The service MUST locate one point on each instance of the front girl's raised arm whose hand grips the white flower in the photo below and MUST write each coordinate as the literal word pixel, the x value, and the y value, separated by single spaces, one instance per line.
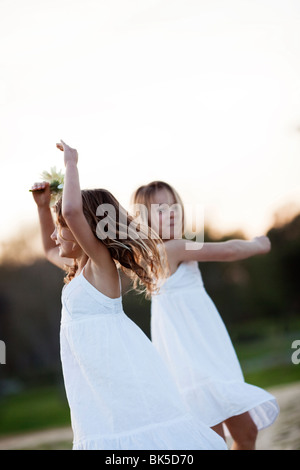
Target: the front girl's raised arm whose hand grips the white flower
pixel 41 196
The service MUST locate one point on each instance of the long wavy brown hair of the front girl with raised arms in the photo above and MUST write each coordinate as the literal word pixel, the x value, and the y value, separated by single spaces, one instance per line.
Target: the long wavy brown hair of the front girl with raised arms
pixel 132 248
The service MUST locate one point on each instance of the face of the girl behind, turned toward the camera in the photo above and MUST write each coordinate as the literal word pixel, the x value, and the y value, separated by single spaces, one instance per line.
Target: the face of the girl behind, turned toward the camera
pixel 166 215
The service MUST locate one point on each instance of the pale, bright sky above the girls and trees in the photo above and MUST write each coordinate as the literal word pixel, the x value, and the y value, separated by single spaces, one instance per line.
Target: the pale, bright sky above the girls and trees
pixel 204 94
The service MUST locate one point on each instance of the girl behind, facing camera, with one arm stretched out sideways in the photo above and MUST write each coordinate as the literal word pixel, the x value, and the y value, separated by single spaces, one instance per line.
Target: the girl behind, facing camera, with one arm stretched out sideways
pixel 188 331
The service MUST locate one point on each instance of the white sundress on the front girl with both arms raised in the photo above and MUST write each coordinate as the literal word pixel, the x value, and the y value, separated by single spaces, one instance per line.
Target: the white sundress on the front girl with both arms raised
pixel 120 393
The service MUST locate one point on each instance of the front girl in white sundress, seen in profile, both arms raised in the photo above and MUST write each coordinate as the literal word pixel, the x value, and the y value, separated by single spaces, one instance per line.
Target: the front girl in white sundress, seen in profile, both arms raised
pixel 120 393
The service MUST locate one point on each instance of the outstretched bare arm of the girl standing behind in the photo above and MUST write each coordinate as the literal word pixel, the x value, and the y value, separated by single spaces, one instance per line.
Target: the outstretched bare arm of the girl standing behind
pixel 231 250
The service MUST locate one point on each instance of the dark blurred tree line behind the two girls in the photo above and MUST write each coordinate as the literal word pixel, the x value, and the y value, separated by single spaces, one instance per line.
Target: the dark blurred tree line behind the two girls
pixel 259 291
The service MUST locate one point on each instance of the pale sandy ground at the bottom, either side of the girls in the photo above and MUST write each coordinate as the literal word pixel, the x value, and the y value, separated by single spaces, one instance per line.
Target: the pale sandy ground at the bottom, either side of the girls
pixel 284 434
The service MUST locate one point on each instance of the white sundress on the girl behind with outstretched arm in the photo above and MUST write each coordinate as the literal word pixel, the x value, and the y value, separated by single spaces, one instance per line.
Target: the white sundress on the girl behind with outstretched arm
pixel 189 333
